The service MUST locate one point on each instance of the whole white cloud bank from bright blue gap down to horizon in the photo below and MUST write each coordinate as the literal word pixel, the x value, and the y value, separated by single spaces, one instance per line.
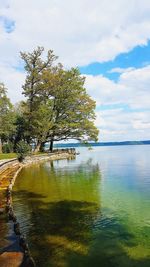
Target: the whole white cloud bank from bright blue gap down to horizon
pixel 132 91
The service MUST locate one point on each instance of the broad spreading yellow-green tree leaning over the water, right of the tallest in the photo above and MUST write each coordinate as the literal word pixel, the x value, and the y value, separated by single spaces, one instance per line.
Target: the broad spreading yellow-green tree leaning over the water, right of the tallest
pixel 72 108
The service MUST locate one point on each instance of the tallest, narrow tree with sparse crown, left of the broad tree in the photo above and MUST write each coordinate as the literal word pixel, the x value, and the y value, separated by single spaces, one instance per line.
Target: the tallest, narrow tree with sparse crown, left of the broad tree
pixel 37 105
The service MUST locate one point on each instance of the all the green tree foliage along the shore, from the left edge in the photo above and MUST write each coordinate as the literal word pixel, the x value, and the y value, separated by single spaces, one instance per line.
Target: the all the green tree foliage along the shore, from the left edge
pixel 57 106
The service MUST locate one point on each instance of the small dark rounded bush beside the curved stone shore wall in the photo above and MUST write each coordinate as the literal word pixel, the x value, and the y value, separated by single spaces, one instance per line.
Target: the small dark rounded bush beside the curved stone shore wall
pixel 22 149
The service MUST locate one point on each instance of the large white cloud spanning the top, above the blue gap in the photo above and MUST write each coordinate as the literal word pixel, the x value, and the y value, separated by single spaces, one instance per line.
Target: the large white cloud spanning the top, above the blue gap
pixel 80 31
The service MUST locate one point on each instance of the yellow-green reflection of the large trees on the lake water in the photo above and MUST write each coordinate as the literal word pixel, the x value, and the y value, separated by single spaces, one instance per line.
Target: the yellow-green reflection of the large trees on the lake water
pixel 63 207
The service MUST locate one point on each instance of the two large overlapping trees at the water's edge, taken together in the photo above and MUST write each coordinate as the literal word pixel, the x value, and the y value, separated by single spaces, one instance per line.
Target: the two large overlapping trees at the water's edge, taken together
pixel 57 106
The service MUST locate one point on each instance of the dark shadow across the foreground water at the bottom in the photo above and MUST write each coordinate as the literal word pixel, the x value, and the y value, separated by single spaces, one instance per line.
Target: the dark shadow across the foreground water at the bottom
pixel 63 235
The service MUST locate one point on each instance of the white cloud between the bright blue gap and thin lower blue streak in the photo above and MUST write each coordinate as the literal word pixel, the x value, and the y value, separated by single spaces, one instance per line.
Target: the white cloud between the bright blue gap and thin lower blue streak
pixel 131 89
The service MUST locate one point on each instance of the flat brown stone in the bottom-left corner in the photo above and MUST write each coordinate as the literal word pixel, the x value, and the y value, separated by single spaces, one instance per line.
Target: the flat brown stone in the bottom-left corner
pixel 11 259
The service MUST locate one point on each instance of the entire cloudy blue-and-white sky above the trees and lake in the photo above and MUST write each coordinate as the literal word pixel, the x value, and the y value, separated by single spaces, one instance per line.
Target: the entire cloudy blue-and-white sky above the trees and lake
pixel 109 41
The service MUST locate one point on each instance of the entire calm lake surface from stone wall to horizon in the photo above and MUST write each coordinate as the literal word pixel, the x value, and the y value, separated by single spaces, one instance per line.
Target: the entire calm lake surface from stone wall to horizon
pixel 88 212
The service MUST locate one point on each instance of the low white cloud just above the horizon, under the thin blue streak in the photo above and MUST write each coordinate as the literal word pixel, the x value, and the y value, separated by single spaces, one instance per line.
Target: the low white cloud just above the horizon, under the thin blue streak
pixel 118 125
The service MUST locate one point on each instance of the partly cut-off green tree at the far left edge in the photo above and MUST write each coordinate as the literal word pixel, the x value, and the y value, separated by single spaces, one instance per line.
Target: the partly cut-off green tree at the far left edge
pixel 7 117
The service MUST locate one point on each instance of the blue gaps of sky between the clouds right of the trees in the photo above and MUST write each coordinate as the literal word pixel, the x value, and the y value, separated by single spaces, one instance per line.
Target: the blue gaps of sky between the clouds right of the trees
pixel 137 58
